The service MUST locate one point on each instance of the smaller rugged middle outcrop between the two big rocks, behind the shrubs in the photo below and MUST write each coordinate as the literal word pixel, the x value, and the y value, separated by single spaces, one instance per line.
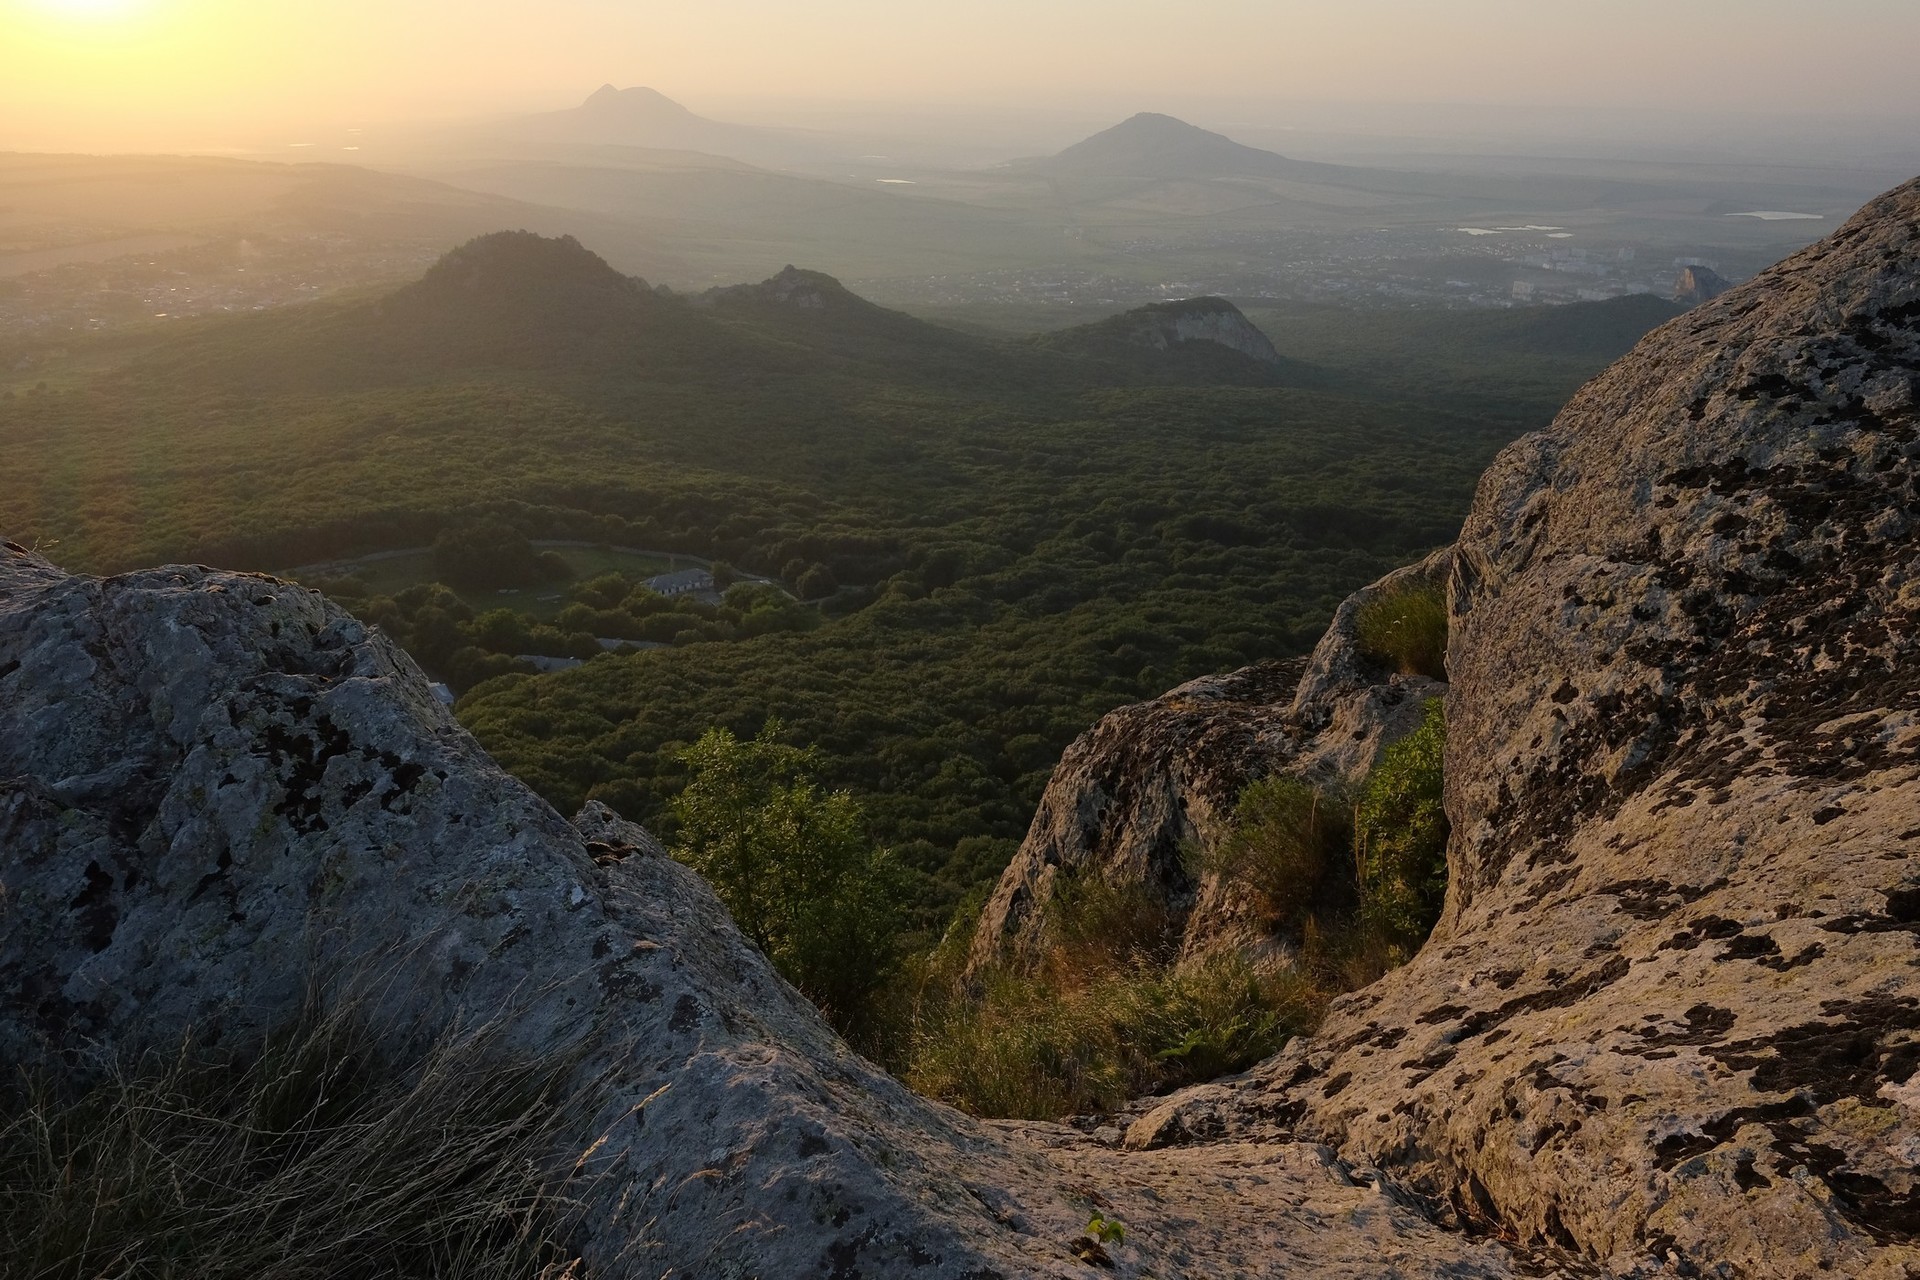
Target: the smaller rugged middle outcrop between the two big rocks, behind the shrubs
pixel 1157 780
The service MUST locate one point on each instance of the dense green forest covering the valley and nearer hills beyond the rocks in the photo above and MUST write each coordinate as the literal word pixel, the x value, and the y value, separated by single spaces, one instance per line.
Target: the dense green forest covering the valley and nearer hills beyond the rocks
pixel 999 538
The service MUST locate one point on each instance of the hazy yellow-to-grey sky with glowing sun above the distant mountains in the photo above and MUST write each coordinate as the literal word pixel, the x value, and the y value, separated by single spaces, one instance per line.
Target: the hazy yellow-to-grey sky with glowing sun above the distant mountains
pixel 103 74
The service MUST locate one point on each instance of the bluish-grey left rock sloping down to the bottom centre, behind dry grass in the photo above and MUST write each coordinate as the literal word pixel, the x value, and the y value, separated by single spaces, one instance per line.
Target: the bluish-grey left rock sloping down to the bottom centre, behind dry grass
pixel 218 788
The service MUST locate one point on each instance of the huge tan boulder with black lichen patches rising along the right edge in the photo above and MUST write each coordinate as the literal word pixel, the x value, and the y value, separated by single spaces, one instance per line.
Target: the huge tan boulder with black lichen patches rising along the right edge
pixel 1673 1010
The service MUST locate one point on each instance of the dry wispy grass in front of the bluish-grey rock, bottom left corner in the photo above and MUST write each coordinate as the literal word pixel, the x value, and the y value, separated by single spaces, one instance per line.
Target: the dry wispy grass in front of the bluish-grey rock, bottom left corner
pixel 316 1158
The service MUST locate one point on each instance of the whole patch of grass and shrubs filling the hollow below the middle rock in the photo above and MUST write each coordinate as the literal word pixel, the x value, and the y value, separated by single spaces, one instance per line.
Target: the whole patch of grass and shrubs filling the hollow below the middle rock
pixel 1107 1014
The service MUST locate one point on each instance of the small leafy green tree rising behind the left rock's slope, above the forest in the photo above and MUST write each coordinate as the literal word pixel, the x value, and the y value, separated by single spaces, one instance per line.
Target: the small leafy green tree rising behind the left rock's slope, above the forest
pixel 794 866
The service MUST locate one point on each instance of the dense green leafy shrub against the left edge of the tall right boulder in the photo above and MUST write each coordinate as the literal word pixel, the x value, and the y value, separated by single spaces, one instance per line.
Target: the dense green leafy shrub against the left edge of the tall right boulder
pixel 1401 834
